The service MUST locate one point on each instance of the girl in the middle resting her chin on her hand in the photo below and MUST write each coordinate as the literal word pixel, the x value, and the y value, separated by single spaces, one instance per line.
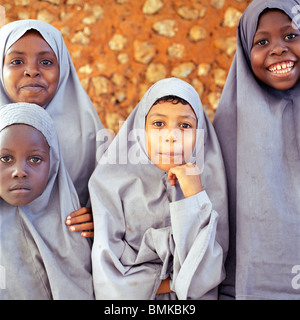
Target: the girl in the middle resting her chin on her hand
pixel 149 230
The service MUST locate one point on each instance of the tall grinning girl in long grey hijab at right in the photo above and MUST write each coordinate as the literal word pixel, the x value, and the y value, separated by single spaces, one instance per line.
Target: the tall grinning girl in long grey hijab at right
pixel 257 123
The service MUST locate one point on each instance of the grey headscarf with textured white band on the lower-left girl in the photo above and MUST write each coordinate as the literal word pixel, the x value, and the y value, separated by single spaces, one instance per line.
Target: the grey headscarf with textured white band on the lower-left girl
pixel 41 258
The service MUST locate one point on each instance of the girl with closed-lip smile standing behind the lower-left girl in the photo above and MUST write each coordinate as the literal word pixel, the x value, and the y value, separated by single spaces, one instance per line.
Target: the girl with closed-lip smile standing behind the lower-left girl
pixel 37 68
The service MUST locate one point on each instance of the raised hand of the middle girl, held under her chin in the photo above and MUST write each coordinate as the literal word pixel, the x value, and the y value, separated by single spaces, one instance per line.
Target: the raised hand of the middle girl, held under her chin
pixel 188 176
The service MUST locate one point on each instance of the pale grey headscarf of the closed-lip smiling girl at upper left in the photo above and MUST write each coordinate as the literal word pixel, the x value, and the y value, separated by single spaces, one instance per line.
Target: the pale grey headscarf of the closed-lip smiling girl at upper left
pixel 74 116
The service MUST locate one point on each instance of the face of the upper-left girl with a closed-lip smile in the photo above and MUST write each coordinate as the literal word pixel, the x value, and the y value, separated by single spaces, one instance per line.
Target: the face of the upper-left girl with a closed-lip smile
pixel 30 70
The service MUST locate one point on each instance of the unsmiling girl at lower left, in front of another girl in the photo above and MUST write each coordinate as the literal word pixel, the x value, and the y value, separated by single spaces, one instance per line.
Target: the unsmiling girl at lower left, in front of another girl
pixel 42 259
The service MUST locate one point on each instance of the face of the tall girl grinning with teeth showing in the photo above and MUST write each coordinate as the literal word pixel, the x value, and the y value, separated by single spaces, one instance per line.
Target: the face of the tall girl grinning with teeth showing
pixel 275 52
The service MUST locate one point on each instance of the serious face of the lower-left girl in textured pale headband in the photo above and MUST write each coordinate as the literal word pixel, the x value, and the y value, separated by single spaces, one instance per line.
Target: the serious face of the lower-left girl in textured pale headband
pixel 24 164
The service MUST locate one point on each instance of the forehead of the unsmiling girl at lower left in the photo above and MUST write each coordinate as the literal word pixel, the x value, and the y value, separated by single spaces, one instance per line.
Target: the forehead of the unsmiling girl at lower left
pixel 22 136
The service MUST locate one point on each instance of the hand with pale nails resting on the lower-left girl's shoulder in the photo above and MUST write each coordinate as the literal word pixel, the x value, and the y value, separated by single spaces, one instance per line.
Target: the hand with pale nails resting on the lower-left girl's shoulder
pixel 81 220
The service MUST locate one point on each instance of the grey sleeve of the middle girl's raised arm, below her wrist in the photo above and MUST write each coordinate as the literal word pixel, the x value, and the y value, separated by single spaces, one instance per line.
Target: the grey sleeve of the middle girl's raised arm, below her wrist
pixel 198 257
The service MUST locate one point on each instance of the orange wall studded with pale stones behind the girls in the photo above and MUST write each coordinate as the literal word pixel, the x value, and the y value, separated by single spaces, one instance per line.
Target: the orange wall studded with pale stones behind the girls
pixel 121 47
